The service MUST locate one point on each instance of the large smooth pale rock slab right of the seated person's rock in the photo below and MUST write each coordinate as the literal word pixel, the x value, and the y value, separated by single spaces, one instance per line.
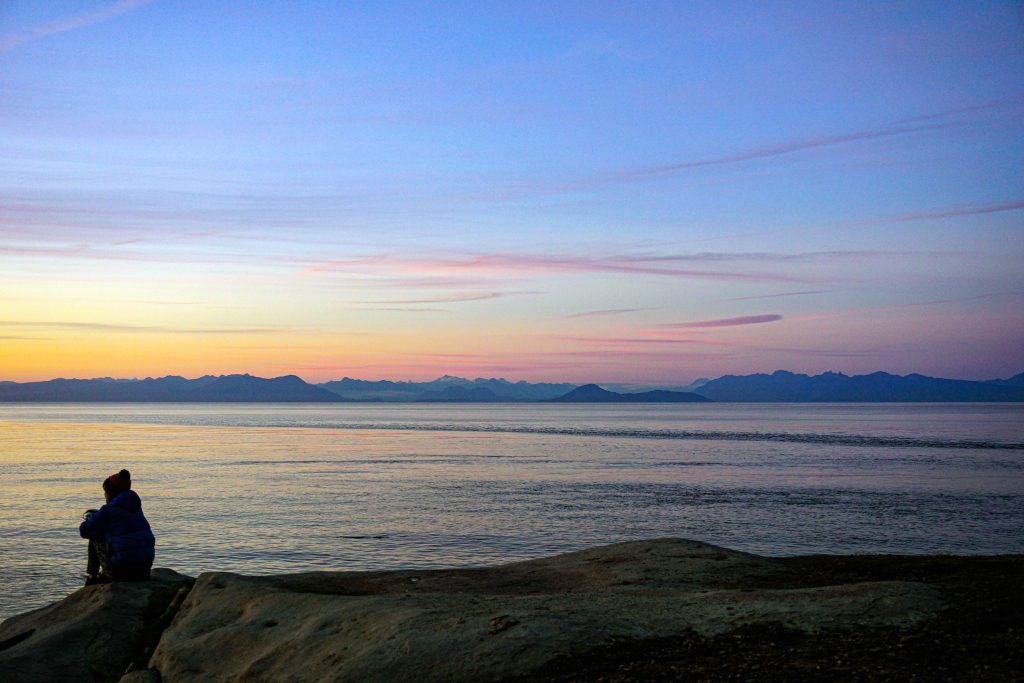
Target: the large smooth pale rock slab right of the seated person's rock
pixel 490 624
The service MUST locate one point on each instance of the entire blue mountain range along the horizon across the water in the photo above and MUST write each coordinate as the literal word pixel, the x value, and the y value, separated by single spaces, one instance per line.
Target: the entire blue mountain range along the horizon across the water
pixel 781 387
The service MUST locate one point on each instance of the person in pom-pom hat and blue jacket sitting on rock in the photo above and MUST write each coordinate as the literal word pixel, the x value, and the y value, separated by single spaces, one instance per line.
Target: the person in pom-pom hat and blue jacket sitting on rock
pixel 121 543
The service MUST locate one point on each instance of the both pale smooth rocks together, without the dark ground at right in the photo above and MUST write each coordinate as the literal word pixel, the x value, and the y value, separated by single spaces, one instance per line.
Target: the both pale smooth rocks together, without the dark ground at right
pixel 453 625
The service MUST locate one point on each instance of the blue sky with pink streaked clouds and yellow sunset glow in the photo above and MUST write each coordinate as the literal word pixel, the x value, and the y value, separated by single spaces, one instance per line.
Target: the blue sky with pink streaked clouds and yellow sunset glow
pixel 633 193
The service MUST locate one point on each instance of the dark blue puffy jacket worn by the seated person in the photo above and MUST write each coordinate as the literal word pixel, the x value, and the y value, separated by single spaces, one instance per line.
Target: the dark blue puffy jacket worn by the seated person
pixel 124 528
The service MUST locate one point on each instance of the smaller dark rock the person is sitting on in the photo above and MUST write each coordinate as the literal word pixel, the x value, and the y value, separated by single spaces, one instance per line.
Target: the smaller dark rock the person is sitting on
pixel 93 635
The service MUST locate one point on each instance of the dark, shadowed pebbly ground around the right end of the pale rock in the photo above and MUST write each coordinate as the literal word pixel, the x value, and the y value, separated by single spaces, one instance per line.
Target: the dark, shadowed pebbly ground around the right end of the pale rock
pixel 979 636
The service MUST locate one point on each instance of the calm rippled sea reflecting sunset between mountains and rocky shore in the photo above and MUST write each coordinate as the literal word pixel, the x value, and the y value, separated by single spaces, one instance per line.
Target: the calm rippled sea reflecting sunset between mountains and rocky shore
pixel 292 488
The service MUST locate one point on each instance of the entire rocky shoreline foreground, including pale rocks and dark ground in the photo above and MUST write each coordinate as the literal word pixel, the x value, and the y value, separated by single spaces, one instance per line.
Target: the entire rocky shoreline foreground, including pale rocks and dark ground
pixel 661 610
